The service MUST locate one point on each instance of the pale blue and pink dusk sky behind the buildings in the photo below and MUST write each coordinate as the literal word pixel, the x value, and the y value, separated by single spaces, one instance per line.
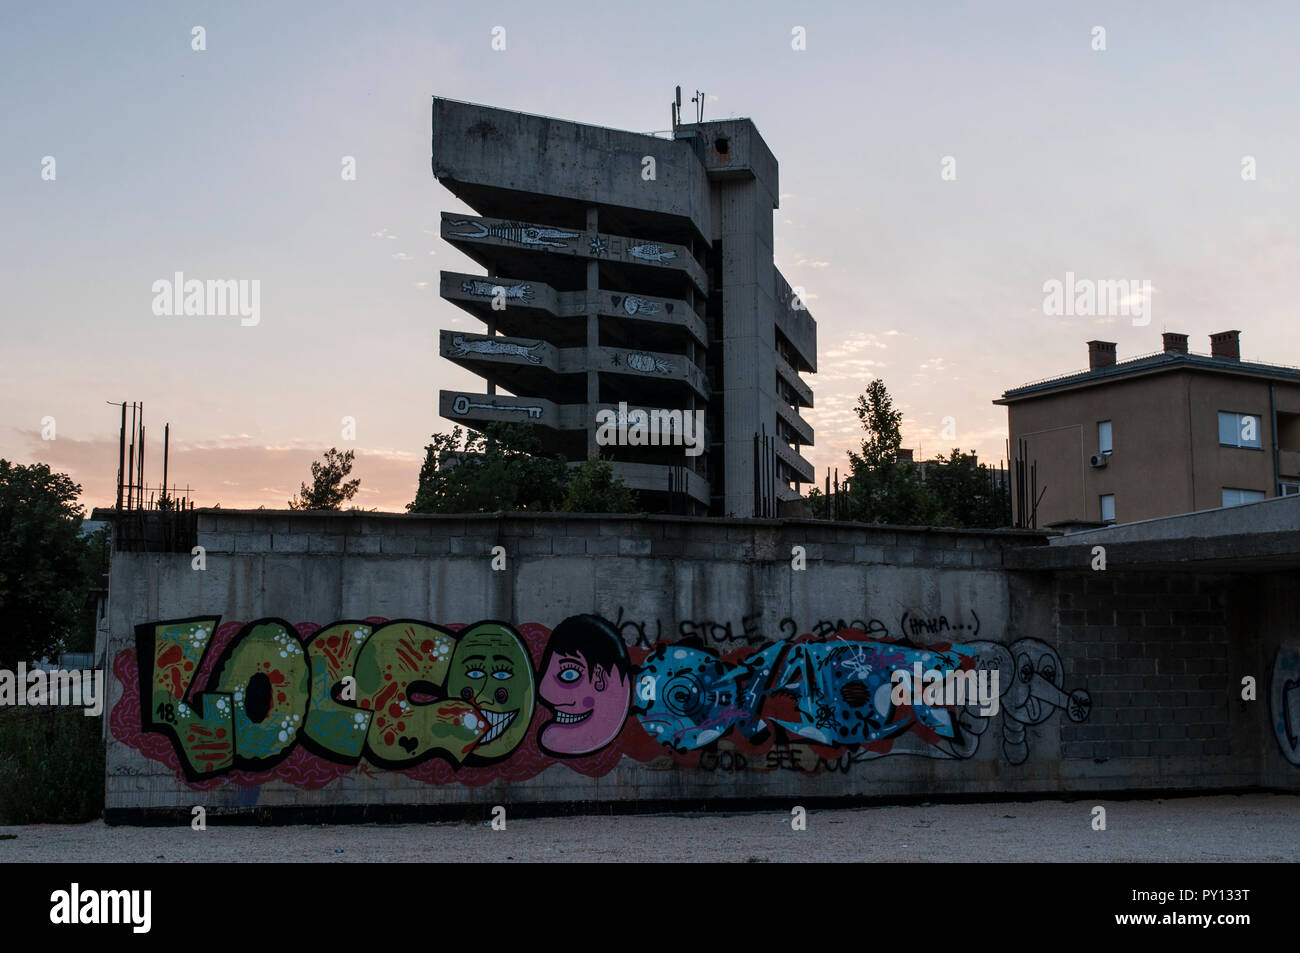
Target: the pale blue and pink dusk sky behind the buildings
pixel 1124 163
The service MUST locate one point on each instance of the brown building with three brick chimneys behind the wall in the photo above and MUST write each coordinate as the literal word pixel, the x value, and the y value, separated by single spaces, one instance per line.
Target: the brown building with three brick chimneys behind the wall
pixel 1167 434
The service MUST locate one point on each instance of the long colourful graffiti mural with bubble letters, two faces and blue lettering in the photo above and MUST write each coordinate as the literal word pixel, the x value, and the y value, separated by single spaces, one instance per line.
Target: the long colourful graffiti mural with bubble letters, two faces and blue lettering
pixel 470 704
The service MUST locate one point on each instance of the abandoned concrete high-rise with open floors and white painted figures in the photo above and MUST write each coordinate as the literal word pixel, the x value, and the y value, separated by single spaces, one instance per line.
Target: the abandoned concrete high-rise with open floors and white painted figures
pixel 630 270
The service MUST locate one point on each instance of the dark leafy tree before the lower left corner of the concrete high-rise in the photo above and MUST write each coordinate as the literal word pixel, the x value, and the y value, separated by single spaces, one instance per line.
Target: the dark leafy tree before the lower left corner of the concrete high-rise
pixel 501 469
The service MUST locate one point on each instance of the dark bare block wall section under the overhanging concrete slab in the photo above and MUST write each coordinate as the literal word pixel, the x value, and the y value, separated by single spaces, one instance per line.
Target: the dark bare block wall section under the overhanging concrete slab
pixel 1167 653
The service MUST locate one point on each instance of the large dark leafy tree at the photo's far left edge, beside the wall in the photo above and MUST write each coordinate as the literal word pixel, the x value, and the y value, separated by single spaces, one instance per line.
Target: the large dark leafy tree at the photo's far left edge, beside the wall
pixel 42 571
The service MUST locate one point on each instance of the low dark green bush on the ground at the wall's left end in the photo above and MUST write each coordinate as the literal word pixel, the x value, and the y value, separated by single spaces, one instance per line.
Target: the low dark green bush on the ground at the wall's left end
pixel 51 768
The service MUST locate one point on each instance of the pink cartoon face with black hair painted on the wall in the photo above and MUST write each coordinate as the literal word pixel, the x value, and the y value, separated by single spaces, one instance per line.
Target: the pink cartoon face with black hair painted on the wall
pixel 587 683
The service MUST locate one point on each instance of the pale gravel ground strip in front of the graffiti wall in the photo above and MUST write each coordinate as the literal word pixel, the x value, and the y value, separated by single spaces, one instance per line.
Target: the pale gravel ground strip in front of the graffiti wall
pixel 1251 828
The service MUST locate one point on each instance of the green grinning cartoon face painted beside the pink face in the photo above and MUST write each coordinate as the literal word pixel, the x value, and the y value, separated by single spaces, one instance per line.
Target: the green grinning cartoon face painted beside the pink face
pixel 492 670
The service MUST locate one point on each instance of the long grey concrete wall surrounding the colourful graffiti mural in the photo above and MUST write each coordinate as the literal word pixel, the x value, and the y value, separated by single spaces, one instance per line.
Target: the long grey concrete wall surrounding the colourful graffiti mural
pixel 1139 669
